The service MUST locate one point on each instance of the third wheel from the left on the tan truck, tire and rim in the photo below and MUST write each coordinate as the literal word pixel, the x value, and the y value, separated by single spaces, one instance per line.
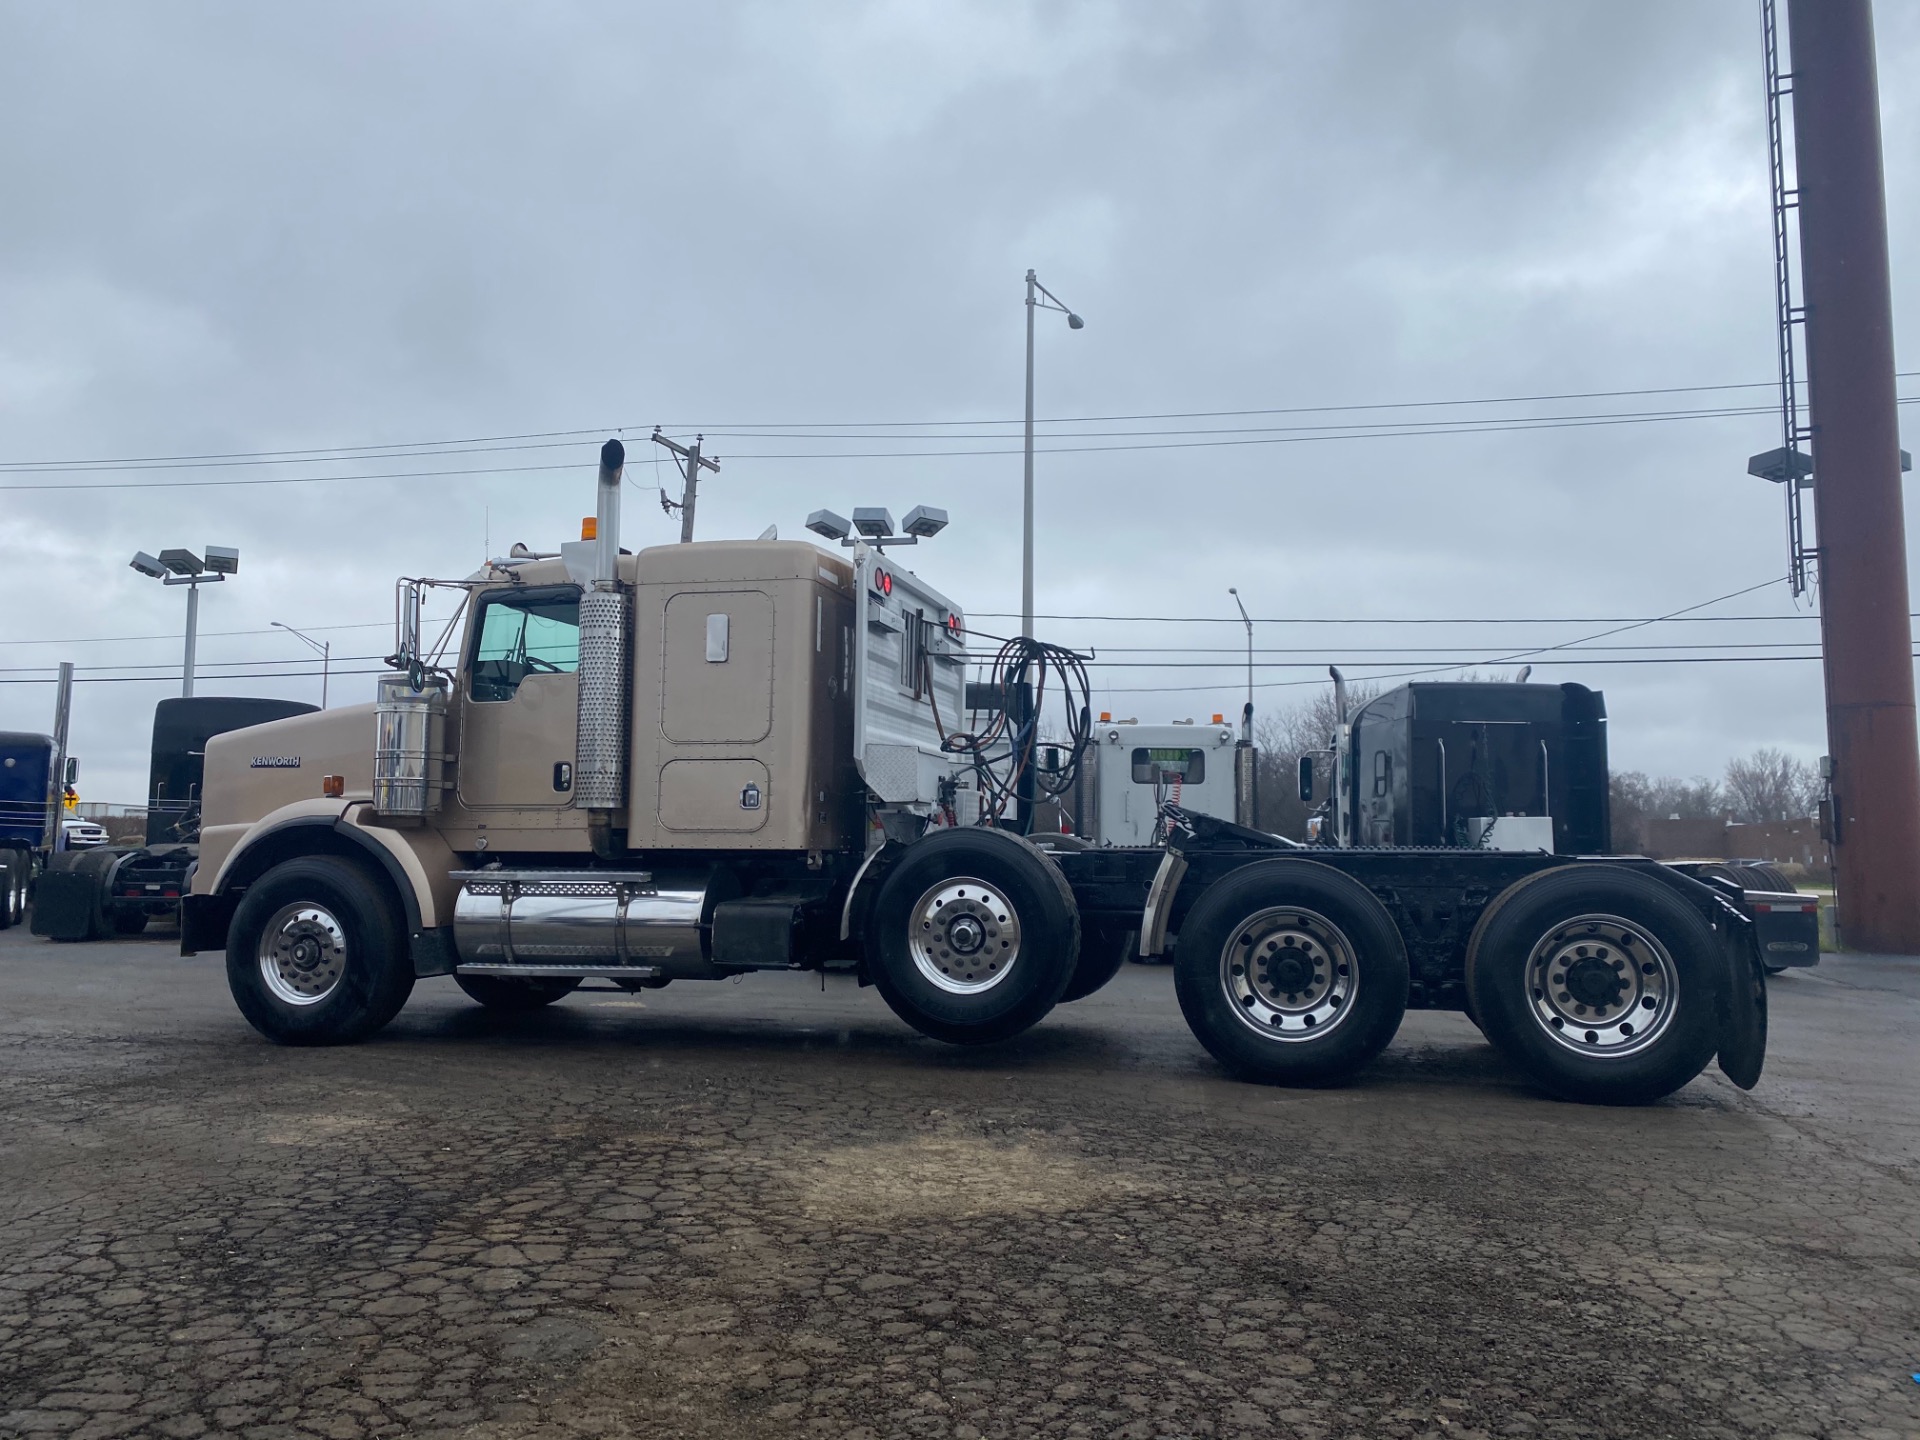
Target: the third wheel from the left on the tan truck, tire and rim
pixel 1310 926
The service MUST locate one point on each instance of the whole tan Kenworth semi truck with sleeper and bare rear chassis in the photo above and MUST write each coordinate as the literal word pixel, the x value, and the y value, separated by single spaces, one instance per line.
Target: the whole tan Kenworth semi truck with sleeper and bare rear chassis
pixel 711 759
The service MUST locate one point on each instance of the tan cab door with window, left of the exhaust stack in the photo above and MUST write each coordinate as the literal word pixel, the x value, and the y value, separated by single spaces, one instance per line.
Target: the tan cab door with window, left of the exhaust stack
pixel 521 706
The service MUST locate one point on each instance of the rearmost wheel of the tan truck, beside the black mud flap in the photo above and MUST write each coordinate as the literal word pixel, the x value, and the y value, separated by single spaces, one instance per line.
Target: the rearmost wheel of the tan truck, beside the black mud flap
pixel 1641 969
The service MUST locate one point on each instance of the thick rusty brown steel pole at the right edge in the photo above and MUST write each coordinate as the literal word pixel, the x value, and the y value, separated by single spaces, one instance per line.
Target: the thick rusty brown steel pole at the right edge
pixel 1867 638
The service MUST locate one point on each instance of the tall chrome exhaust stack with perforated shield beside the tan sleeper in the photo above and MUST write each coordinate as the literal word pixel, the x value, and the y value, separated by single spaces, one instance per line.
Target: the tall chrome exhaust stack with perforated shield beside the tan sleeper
pixel 600 761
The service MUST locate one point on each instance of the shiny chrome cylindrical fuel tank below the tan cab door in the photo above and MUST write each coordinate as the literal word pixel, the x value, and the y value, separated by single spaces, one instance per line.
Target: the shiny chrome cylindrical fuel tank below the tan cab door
pixel 592 919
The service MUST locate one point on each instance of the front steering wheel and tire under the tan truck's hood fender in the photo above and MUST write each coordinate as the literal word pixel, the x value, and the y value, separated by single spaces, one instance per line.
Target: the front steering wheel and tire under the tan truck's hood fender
pixel 343 948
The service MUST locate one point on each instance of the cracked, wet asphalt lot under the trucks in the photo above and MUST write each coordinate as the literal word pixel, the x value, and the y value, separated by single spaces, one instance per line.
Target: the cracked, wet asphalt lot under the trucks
pixel 769 1209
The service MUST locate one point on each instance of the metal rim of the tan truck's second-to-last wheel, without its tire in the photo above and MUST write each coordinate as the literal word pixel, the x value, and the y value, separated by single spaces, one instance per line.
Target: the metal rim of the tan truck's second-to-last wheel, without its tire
pixel 1291 974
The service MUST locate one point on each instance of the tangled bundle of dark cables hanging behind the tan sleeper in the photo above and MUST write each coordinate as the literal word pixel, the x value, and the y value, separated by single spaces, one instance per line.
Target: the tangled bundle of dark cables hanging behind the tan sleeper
pixel 1026 667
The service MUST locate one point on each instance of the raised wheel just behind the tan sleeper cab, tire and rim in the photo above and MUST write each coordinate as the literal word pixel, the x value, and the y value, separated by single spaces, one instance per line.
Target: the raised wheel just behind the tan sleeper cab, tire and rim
pixel 969 982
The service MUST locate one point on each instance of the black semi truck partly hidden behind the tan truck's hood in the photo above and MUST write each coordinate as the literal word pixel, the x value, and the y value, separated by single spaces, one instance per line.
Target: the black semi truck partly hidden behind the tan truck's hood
pixel 118 890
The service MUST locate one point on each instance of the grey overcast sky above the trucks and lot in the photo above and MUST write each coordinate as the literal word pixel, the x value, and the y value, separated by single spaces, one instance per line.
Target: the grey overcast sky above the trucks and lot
pixel 314 228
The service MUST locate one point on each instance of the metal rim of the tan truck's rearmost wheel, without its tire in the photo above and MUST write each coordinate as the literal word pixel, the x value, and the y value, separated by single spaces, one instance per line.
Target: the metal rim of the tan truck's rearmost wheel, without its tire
pixel 1602 986
